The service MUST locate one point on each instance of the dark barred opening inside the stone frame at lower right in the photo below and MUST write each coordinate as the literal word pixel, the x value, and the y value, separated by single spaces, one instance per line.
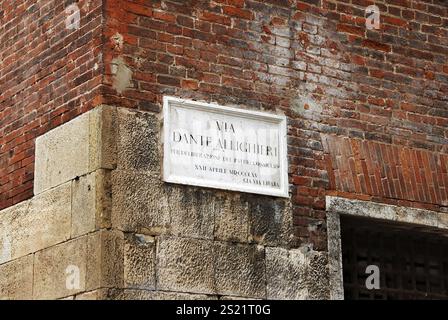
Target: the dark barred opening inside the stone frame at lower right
pixel 412 261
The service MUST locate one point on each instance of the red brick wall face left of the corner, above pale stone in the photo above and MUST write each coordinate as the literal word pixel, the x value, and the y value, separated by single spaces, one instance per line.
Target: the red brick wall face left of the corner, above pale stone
pixel 48 75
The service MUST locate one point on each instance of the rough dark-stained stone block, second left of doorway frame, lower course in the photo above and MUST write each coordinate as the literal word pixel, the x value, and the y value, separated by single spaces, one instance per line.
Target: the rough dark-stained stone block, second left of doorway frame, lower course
pixel 240 270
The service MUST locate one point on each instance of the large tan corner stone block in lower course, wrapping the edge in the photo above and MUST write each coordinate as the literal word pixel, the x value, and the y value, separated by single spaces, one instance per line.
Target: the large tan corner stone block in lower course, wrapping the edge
pixel 96 257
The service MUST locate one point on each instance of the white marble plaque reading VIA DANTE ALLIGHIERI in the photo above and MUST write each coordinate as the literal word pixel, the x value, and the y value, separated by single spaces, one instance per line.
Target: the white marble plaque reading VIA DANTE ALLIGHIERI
pixel 220 147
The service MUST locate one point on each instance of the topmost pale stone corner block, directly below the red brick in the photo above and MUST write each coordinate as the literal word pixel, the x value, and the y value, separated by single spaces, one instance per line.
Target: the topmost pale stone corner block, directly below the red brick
pixel 76 148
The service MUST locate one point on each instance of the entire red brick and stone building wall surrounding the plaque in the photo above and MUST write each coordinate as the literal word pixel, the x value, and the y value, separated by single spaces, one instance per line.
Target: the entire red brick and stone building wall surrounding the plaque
pixel 80 140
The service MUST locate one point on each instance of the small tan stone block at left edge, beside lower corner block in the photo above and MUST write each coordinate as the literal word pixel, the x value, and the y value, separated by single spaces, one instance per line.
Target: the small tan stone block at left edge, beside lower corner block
pixel 16 279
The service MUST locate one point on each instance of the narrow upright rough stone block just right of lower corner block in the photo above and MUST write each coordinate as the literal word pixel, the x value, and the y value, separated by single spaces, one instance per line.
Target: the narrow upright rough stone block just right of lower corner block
pixel 139 262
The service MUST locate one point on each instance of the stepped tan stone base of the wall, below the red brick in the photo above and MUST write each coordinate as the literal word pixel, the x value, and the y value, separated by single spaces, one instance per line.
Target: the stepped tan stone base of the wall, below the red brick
pixel 102 225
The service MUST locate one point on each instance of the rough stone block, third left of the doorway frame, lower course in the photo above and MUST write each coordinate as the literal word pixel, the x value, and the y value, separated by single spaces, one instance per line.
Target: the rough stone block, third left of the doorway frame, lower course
pixel 185 265
